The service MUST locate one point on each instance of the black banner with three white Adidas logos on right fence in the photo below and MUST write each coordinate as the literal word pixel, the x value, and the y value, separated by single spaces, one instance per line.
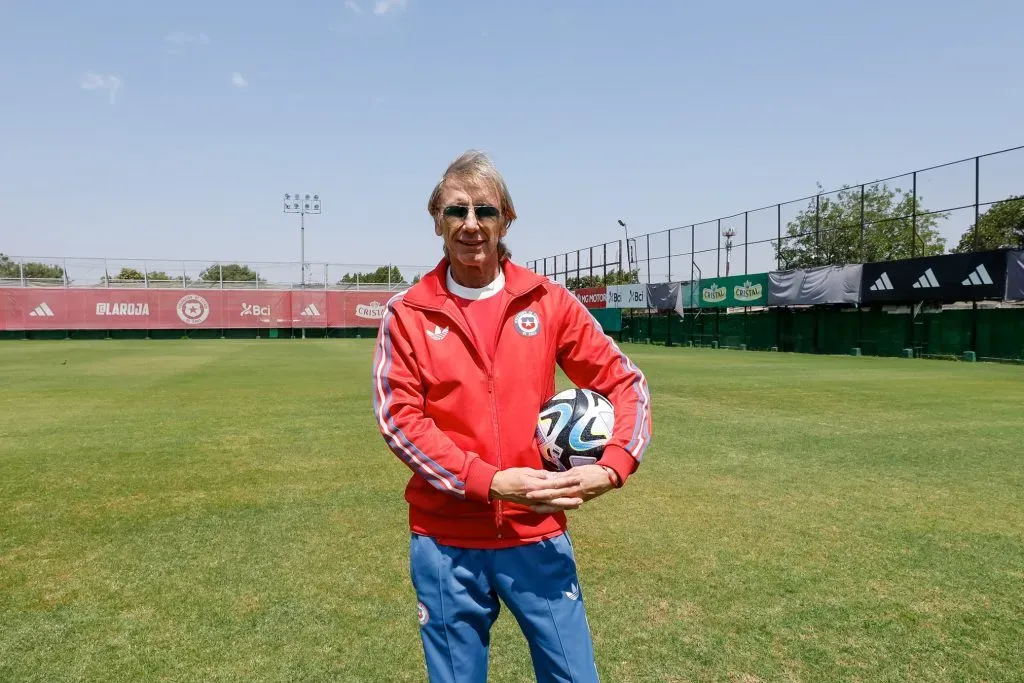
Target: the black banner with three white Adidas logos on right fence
pixel 948 278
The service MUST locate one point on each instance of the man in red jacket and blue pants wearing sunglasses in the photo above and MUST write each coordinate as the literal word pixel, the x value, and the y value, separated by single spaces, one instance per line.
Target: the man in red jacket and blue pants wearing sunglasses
pixel 465 359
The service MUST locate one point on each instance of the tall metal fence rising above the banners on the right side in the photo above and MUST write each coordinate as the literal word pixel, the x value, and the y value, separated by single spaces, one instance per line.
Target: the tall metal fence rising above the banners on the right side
pixel 766 239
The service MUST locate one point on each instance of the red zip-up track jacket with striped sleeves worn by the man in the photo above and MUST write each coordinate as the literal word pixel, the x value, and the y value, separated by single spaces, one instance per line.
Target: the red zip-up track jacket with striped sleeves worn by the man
pixel 455 418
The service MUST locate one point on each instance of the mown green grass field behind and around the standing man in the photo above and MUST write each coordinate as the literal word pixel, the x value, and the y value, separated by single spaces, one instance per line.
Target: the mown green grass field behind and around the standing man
pixel 227 511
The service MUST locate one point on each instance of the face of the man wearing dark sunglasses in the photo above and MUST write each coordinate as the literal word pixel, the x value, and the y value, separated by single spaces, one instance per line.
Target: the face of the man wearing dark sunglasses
pixel 472 224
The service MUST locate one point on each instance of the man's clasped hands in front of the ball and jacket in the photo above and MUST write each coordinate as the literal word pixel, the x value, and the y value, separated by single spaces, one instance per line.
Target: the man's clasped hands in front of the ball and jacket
pixel 546 492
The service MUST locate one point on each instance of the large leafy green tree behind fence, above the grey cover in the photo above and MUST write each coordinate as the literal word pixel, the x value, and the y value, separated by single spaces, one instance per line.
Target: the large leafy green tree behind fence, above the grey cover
pixel 831 232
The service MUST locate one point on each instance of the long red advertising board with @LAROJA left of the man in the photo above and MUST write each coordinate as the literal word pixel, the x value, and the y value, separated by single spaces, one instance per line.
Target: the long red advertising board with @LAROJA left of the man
pixel 46 309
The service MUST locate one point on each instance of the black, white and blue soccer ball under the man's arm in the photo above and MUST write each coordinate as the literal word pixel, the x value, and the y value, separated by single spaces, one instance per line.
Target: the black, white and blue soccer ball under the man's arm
pixel 573 429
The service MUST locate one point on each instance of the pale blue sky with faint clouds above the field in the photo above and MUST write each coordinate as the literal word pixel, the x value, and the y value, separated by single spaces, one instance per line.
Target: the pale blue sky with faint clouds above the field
pixel 170 131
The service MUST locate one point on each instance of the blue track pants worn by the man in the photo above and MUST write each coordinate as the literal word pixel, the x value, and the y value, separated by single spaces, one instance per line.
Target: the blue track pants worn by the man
pixel 459 590
